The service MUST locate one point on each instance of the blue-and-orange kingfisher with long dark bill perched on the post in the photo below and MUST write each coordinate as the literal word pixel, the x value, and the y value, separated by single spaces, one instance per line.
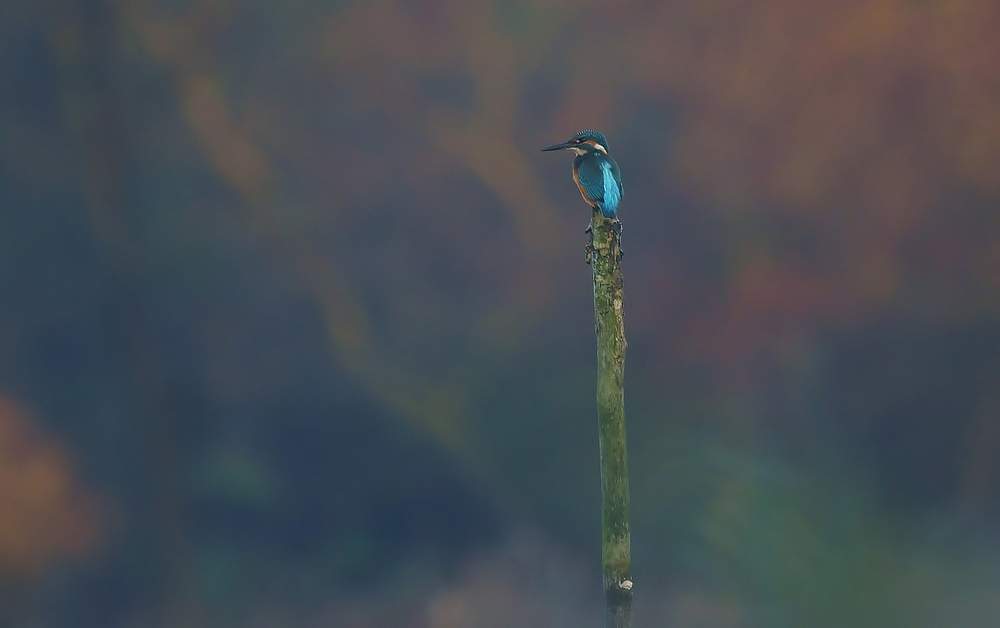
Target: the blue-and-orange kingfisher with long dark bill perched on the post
pixel 595 173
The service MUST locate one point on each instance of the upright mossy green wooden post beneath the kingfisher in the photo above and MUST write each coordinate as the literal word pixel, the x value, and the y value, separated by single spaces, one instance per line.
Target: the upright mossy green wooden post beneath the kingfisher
pixel 604 255
